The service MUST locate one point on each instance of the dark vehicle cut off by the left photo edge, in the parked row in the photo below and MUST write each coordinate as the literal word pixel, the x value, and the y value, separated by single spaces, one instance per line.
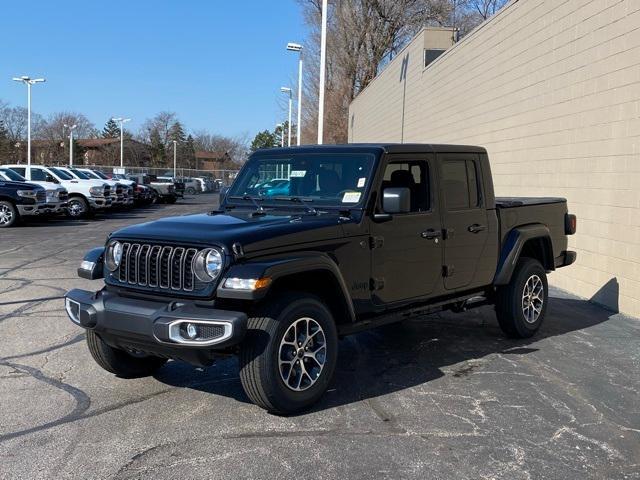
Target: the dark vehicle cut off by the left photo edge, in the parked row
pixel 20 199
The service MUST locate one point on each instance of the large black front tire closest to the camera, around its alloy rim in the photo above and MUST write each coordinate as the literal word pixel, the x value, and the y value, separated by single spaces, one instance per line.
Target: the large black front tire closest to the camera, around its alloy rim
pixel 260 372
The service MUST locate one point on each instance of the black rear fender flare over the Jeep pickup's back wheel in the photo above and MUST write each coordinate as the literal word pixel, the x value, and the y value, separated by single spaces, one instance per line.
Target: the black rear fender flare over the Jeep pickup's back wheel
pixel 533 241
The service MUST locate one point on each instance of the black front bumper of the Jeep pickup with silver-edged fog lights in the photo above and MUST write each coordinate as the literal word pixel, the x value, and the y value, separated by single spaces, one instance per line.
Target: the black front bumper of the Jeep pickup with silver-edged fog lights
pixel 153 327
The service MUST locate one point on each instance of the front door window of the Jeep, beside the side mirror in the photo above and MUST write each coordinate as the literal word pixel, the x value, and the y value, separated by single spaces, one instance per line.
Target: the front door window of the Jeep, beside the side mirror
pixel 415 177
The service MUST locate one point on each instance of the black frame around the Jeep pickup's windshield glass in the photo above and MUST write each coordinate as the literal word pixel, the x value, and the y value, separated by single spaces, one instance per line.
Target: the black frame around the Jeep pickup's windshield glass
pixel 293 201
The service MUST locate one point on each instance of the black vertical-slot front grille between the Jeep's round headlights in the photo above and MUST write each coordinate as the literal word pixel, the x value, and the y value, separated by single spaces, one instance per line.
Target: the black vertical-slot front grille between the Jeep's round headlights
pixel 155 266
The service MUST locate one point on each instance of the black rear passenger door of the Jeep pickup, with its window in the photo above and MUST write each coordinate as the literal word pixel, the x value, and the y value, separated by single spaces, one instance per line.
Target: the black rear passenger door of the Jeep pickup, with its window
pixel 464 219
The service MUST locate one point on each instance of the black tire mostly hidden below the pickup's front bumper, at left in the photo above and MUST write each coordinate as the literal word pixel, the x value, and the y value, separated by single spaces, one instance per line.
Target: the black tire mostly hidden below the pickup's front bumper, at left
pixel 120 362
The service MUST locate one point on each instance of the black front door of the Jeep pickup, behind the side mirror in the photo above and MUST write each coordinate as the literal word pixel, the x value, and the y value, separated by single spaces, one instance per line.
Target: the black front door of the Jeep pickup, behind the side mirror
pixel 407 250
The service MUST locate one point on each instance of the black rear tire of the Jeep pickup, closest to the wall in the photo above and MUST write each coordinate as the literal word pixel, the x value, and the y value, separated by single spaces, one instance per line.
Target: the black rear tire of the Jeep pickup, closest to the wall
pixel 517 314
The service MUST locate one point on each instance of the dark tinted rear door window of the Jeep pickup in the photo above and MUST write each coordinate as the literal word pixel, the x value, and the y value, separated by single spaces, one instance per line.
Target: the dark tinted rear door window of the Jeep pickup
pixel 460 184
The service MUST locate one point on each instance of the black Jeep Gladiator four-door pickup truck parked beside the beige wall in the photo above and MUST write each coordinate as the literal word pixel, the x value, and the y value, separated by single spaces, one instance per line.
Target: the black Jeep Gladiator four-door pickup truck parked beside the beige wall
pixel 350 237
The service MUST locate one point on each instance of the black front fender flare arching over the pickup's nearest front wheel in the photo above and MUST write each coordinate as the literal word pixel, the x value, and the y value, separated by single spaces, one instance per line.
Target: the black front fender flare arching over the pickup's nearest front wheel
pixel 280 267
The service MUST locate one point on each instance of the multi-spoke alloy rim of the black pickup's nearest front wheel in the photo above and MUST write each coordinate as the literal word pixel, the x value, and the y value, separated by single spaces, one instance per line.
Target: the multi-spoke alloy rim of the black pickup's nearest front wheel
pixel 302 354
